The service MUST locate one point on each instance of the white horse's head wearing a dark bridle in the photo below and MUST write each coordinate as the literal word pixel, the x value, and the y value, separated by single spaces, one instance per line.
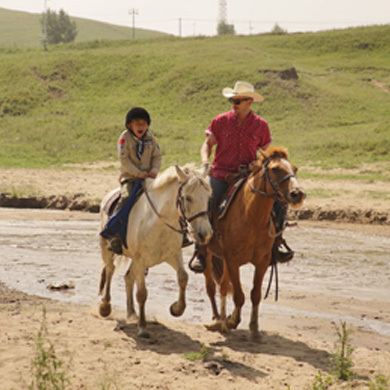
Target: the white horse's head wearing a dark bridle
pixel 193 199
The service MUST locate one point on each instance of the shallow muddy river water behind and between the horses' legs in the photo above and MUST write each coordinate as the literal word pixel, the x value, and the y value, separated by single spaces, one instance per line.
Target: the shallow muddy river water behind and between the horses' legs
pixel 338 264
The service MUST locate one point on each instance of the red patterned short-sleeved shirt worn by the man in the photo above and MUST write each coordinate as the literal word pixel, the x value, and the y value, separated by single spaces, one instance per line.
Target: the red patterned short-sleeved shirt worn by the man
pixel 236 144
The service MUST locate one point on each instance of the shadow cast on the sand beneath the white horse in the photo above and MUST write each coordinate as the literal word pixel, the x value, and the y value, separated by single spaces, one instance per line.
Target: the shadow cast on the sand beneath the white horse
pixel 166 341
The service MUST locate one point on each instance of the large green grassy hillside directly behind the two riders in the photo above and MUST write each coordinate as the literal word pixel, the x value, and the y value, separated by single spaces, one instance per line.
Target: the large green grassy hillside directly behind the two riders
pixel 327 95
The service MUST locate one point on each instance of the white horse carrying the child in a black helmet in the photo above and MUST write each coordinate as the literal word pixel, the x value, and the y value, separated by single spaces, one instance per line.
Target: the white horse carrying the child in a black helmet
pixel 154 235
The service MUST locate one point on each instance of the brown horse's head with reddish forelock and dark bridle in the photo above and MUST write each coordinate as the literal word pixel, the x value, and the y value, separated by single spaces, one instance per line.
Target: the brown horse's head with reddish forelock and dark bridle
pixel 279 175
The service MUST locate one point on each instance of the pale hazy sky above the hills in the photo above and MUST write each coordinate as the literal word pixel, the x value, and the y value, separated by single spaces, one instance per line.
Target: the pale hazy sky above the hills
pixel 200 17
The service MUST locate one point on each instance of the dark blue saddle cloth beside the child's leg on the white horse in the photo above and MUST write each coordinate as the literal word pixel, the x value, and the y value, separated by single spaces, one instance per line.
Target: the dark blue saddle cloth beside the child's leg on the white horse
pixel 117 224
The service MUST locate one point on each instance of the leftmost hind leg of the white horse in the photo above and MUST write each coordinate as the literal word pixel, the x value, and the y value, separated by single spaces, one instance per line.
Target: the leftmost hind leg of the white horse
pixel 105 278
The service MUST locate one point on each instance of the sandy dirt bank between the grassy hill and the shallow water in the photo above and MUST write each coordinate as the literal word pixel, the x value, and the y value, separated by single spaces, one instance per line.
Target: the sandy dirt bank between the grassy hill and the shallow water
pixel 78 188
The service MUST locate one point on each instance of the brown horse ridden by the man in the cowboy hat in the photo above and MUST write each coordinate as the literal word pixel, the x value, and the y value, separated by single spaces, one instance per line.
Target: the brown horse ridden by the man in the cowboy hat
pixel 246 235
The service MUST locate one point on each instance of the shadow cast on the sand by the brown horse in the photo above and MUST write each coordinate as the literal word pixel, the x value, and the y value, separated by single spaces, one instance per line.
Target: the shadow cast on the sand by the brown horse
pixel 277 345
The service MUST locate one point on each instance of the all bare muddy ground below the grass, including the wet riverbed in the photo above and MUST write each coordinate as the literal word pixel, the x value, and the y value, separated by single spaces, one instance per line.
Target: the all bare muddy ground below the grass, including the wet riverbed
pixel 341 273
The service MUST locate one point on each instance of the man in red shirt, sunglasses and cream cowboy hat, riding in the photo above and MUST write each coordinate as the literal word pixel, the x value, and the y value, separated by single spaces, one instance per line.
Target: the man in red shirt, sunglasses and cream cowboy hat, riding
pixel 237 135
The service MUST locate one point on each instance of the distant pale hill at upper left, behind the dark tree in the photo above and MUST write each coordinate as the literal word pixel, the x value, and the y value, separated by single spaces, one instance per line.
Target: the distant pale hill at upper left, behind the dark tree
pixel 24 29
